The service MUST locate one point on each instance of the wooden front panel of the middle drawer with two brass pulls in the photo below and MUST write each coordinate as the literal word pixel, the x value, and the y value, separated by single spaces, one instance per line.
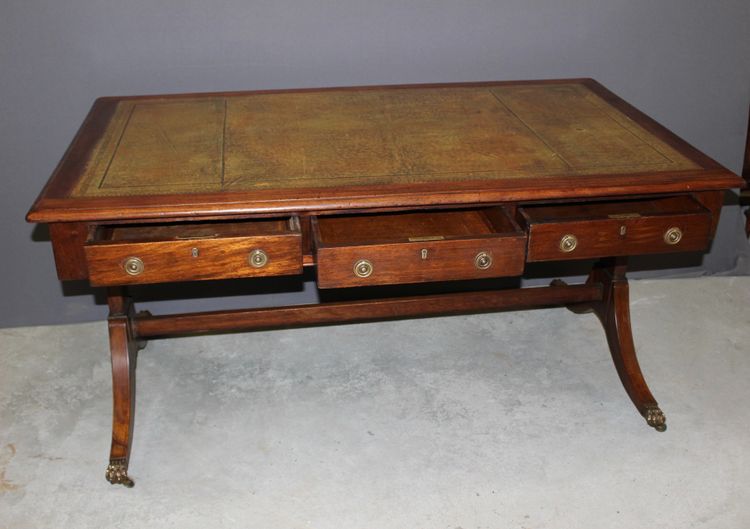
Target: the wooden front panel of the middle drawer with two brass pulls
pixel 417 262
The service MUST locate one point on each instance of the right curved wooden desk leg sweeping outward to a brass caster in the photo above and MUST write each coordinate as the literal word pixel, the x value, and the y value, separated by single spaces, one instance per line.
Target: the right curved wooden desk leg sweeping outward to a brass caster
pixel 614 313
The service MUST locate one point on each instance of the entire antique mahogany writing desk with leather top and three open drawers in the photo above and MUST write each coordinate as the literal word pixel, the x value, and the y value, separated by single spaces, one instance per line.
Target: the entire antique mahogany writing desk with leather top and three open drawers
pixel 372 186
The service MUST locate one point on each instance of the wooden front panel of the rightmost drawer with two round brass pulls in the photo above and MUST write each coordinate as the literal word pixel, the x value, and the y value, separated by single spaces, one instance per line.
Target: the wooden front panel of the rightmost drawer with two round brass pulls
pixel 584 239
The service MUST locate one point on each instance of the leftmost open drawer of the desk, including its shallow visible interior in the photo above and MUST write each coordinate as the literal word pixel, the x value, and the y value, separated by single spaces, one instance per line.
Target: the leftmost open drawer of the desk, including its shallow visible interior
pixel 156 253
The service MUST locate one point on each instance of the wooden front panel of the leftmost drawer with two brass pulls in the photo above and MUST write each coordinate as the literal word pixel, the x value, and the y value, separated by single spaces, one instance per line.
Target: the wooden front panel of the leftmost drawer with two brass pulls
pixel 123 263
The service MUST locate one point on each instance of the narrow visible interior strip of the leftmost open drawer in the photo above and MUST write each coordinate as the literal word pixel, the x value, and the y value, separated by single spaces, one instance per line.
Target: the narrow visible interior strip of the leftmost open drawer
pixel 134 233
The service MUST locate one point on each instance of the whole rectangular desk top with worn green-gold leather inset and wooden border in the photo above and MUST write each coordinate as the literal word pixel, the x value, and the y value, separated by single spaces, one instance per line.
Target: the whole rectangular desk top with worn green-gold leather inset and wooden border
pixel 192 155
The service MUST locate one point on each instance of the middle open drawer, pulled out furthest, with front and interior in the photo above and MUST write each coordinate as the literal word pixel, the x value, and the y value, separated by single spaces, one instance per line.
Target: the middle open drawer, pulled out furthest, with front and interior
pixel 416 247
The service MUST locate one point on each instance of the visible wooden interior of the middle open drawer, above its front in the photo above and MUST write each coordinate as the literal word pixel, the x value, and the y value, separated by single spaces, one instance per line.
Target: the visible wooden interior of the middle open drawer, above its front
pixel 355 230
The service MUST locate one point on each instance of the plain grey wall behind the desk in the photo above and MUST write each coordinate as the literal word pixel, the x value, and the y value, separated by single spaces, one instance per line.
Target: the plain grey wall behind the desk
pixel 685 63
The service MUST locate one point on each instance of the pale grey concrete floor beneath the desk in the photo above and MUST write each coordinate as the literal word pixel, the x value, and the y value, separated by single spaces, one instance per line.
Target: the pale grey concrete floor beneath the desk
pixel 498 420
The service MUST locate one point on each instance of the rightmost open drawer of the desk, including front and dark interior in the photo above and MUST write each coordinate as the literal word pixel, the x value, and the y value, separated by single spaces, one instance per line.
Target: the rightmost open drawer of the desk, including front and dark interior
pixel 603 229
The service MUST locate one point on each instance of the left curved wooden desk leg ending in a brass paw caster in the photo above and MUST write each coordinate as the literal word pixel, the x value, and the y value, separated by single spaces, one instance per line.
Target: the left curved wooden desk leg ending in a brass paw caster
pixel 124 348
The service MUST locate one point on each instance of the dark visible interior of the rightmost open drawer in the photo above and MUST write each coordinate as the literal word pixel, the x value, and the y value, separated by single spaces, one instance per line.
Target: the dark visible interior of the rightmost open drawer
pixel 619 209
